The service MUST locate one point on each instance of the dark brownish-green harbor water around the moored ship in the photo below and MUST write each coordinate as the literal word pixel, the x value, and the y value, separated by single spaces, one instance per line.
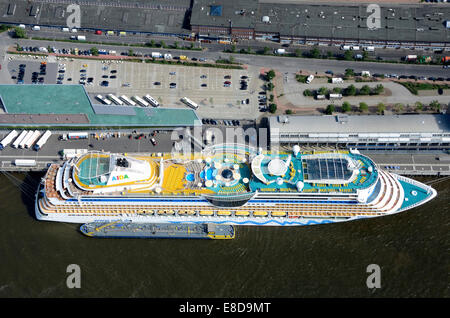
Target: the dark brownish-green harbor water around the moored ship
pixel 331 260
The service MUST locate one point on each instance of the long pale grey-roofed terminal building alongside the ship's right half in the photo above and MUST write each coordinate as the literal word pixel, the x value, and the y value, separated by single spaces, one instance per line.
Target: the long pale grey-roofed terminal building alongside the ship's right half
pixel 365 132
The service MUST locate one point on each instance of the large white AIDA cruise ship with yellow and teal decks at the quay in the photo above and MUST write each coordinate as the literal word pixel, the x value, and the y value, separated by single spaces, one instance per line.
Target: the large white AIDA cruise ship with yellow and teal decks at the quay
pixel 225 184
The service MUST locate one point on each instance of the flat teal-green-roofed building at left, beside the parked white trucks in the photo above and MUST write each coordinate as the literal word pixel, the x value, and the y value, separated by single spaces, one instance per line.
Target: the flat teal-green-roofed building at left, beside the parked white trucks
pixel 70 105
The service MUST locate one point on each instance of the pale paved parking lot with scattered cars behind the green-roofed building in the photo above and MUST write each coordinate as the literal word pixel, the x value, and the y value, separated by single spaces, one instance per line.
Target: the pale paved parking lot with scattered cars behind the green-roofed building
pixel 220 93
